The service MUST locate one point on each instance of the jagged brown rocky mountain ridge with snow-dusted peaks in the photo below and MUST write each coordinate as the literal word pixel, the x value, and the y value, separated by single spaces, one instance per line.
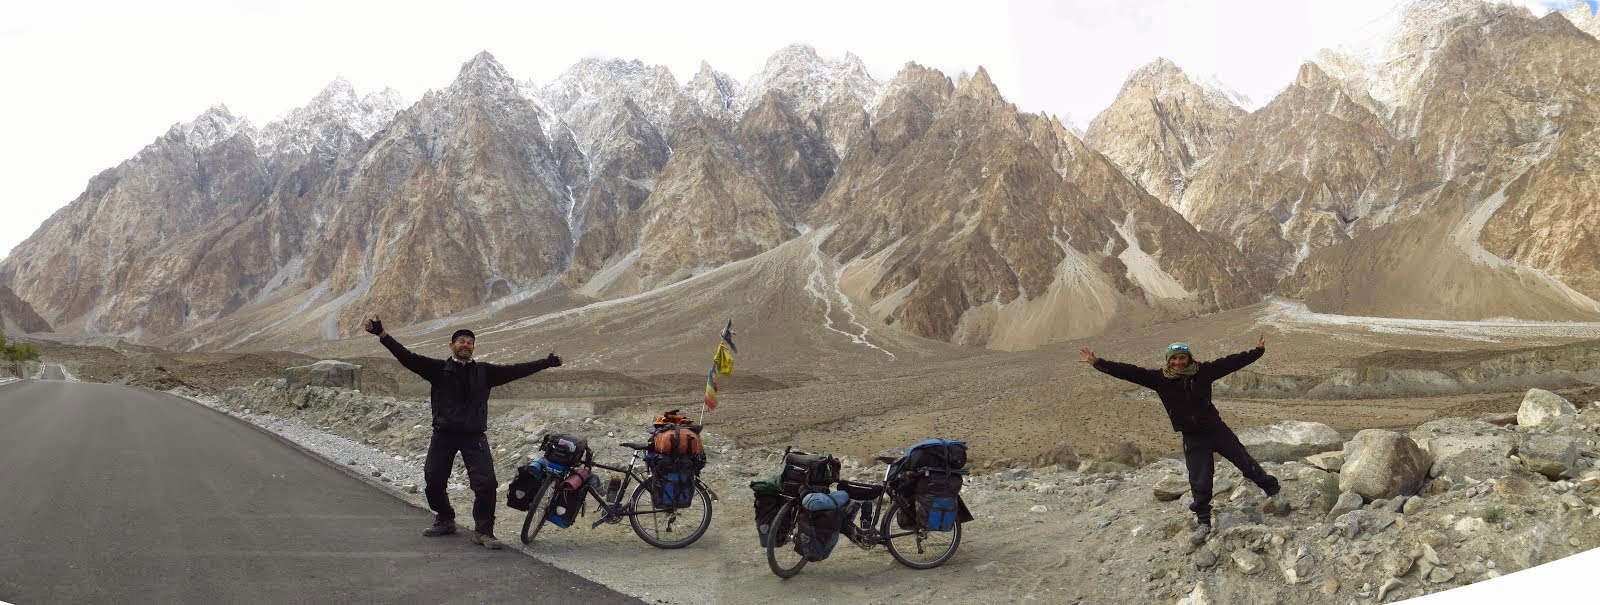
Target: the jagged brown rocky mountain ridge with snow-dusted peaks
pixel 950 214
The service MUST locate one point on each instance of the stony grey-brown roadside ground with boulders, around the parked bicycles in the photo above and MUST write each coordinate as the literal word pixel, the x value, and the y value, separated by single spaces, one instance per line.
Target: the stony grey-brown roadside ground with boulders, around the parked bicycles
pixel 1378 518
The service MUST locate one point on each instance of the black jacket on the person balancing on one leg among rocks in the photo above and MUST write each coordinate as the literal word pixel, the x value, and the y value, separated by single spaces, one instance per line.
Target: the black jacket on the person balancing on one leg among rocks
pixel 1188 399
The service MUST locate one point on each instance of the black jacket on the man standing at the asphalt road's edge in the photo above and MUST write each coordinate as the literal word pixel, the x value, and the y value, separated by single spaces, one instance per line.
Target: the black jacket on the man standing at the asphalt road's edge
pixel 460 391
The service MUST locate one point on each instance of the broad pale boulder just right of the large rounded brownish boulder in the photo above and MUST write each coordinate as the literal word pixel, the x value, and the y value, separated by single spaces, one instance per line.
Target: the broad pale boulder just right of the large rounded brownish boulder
pixel 1466 449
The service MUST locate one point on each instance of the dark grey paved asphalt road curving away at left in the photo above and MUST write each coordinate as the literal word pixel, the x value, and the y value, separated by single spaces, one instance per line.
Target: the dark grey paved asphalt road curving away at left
pixel 122 495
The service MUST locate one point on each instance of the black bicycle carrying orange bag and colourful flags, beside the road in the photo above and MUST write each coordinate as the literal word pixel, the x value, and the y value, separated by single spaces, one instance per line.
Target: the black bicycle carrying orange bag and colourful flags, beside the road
pixel 658 524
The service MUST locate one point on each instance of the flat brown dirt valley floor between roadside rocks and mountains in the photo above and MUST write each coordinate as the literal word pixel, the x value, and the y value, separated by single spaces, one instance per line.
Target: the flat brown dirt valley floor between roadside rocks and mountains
pixel 1015 407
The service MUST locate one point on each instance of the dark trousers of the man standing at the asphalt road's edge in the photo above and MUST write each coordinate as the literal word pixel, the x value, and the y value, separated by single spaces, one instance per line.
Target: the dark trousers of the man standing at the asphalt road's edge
pixel 481 476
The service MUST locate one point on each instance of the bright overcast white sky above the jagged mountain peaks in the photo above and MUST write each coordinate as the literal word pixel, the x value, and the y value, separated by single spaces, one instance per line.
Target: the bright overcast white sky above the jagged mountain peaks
pixel 89 84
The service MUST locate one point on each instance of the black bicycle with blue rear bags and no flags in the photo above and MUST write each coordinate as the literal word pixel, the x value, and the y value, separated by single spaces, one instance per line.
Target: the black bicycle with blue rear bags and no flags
pixel 897 527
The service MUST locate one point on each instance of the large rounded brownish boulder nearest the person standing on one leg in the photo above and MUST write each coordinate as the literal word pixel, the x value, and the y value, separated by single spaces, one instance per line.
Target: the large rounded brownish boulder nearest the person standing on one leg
pixel 1383 465
